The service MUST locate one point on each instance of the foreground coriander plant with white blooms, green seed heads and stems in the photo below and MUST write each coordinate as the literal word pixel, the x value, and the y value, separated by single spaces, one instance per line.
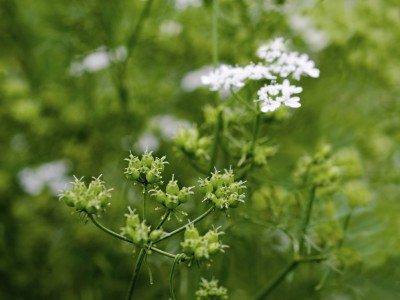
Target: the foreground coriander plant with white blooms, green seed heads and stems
pixel 231 152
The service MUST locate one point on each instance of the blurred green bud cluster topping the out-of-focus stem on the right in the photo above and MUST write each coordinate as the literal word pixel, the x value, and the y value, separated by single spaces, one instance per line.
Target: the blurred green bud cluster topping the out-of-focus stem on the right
pixel 319 170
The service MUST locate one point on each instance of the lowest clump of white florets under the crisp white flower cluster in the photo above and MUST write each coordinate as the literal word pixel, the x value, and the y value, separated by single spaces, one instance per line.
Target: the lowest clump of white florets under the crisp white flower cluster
pixel 274 95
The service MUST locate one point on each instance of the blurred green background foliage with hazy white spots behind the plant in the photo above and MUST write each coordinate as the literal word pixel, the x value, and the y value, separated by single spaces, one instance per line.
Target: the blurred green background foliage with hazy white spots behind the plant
pixel 71 105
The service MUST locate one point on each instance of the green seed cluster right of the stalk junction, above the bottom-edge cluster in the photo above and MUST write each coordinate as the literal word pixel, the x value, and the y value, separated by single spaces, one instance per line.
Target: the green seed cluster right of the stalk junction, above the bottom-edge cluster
pixel 200 247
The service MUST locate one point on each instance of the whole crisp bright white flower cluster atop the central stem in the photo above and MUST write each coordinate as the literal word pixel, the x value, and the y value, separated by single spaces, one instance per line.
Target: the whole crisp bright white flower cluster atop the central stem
pixel 278 63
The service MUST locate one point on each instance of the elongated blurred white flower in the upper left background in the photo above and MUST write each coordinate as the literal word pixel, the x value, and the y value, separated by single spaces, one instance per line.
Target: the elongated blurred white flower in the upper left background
pixel 98 60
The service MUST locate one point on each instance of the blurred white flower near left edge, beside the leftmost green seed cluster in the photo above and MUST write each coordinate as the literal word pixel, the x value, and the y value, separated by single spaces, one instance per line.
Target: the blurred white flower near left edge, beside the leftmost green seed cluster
pixel 52 175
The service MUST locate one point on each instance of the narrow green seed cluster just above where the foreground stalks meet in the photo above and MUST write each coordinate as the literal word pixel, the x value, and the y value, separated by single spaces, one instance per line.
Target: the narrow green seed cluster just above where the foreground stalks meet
pixel 136 230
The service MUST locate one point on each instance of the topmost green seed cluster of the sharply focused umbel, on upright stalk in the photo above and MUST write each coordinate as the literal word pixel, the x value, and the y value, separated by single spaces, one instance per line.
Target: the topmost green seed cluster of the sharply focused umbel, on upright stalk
pixel 146 170
